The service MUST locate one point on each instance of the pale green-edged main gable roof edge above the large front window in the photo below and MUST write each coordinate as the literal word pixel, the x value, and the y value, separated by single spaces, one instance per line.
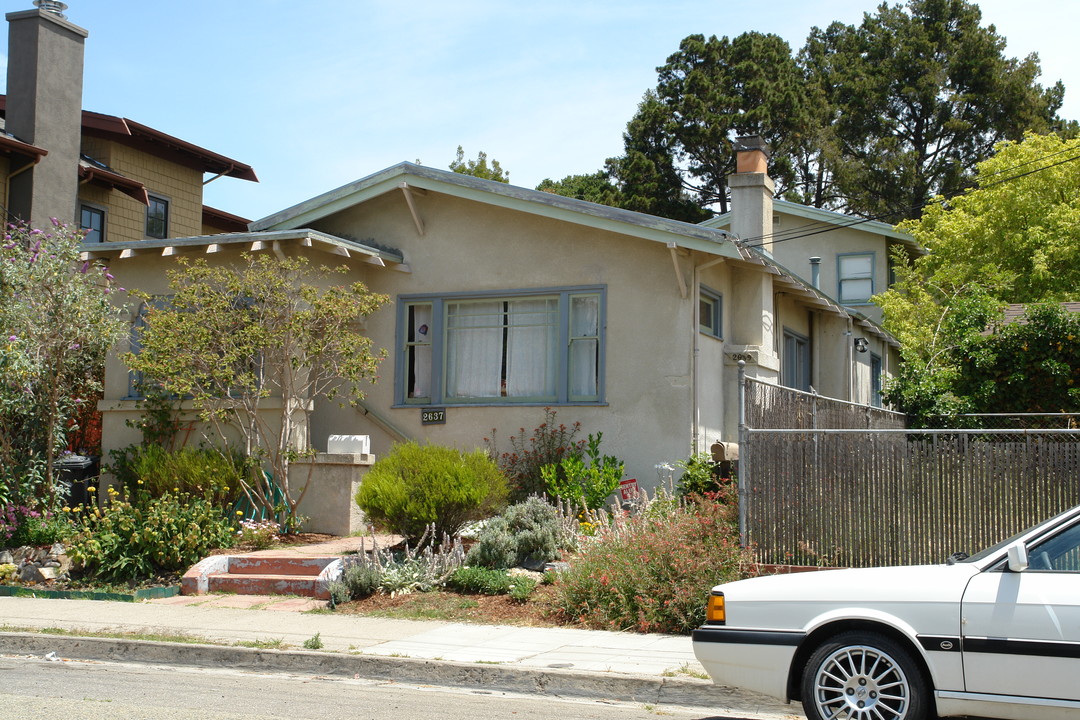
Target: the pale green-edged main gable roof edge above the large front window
pixel 407 176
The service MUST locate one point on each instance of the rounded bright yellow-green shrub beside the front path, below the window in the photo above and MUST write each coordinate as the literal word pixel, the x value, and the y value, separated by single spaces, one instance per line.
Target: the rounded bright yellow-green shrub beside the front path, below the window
pixel 416 486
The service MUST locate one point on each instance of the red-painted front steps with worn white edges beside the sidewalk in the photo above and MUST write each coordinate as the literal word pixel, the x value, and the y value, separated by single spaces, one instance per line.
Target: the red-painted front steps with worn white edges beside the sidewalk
pixel 247 575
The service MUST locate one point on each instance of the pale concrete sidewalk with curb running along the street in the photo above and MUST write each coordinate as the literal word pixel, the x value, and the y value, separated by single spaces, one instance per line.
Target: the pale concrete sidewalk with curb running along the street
pixel 617 667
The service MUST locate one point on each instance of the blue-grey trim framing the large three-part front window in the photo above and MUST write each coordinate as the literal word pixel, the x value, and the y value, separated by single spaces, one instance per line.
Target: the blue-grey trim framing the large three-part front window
pixel 439 301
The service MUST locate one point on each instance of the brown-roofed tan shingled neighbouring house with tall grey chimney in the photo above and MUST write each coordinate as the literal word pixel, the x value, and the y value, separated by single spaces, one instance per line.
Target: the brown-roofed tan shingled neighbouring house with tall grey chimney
pixel 117 179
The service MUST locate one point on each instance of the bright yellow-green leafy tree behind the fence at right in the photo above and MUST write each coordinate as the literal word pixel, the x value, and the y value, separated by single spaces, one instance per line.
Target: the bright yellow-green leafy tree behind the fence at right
pixel 1015 239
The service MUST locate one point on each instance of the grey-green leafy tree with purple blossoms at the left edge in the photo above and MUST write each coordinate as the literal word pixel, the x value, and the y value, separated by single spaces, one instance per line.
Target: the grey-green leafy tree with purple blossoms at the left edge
pixel 58 322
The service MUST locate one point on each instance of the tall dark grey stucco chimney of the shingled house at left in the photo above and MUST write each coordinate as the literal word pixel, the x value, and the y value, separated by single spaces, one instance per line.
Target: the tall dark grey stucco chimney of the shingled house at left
pixel 45 108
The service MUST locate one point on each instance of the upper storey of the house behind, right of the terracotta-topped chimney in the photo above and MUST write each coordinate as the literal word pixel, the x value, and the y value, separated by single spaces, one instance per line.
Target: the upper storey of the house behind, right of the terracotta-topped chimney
pixel 849 259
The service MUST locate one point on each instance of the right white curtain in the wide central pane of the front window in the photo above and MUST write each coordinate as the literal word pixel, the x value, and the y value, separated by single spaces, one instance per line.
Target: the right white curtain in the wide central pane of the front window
pixel 532 337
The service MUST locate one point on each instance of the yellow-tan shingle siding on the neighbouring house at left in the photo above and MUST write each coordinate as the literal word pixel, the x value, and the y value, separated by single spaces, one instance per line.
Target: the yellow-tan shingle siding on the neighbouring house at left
pixel 127 218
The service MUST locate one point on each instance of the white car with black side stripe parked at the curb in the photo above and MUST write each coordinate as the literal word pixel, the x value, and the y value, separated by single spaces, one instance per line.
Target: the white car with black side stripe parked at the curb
pixel 994 635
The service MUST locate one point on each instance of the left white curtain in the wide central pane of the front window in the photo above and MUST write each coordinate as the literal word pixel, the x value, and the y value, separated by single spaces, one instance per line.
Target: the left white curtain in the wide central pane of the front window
pixel 475 349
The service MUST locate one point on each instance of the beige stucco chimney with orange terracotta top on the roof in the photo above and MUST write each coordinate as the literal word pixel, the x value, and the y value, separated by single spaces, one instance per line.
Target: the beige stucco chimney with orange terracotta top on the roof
pixel 752 192
